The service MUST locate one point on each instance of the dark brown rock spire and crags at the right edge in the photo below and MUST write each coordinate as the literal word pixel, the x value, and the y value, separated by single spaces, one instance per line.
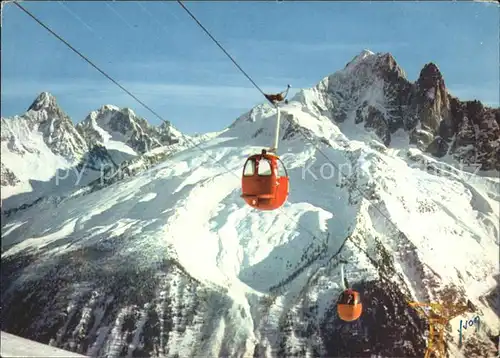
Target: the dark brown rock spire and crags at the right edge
pixel 468 129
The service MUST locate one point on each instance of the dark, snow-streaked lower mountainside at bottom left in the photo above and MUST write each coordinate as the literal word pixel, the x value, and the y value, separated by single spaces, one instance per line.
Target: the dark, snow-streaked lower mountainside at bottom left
pixel 113 311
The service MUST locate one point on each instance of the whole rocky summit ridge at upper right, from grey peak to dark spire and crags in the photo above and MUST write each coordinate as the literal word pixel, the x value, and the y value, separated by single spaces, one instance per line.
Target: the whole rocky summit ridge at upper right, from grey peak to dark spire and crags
pixel 436 121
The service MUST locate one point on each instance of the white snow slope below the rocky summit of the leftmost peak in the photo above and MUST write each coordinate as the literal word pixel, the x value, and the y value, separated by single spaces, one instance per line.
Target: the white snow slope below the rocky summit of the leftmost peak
pixel 31 170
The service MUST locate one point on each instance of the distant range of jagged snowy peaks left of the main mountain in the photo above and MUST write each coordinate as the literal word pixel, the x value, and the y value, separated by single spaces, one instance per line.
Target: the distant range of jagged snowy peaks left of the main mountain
pixel 45 155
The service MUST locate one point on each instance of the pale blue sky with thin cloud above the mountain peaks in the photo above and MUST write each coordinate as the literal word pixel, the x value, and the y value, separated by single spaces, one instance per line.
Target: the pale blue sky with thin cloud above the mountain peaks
pixel 159 53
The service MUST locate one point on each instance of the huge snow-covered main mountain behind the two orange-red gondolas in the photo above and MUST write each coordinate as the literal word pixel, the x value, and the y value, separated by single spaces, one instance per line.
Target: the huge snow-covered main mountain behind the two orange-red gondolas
pixel 171 262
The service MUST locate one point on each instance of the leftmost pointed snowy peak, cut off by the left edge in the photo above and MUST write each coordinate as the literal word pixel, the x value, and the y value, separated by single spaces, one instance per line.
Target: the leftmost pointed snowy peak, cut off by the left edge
pixel 37 147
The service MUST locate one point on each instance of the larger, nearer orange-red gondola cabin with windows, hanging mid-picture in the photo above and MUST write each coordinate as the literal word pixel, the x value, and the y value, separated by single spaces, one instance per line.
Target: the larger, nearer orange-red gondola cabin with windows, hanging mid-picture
pixel 262 186
